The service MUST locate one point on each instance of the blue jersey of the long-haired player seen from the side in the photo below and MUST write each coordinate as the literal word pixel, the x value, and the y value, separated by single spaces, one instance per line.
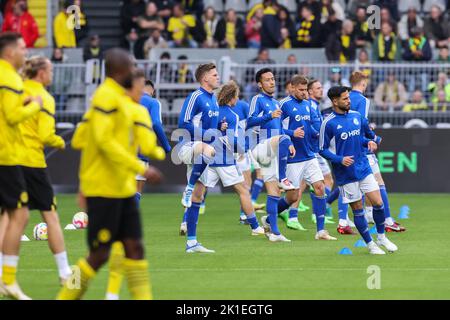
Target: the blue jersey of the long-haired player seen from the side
pixel 235 138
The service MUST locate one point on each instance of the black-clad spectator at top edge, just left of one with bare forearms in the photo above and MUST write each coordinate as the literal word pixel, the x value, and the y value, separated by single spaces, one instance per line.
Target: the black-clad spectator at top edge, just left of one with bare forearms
pixel 129 14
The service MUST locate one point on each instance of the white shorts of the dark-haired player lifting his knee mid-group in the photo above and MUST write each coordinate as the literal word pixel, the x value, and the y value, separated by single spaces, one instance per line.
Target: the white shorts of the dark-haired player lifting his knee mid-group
pixel 267 159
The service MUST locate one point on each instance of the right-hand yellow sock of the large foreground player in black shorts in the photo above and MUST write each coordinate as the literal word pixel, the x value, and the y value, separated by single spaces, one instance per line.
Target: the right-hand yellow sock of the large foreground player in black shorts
pixel 138 279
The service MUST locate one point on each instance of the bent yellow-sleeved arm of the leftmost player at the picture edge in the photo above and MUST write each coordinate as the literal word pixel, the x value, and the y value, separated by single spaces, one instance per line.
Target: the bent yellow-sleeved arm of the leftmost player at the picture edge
pixel 14 111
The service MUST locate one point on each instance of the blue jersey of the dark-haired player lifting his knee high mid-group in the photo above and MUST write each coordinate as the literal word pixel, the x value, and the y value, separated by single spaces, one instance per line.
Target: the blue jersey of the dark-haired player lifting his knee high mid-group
pixel 260 119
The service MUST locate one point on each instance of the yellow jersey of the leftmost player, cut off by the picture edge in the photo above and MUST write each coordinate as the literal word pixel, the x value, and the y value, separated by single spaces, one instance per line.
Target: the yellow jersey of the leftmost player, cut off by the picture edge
pixel 12 112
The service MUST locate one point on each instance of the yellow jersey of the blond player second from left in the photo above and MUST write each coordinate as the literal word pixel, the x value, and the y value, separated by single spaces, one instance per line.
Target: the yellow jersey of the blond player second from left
pixel 38 131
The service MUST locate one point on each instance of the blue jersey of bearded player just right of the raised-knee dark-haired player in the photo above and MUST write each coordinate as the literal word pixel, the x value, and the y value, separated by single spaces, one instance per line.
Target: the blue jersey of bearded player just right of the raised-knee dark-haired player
pixel 297 113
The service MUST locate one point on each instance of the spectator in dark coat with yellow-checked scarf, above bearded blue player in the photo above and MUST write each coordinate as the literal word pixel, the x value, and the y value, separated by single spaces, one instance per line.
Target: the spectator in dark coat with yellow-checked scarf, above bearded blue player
pixel 308 29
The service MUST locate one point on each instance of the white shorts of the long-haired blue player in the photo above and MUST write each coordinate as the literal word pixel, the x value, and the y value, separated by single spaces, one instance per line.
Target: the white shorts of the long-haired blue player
pixel 229 176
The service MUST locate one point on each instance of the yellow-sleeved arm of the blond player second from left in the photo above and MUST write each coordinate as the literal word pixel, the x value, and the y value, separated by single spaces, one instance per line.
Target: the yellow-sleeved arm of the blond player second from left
pixel 46 128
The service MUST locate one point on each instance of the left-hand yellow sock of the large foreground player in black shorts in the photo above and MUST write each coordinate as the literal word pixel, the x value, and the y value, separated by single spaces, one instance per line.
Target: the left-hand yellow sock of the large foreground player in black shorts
pixel 77 284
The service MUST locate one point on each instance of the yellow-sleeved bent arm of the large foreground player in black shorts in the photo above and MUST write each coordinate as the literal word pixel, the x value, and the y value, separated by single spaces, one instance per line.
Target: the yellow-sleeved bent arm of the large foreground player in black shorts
pixel 102 126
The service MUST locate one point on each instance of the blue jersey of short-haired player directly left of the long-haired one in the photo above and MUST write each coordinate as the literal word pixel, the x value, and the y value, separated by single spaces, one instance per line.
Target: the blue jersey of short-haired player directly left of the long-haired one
pixel 200 113
